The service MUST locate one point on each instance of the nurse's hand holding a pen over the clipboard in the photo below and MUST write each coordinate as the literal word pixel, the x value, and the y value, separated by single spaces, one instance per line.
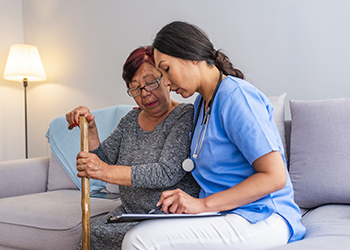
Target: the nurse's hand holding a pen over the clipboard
pixel 178 202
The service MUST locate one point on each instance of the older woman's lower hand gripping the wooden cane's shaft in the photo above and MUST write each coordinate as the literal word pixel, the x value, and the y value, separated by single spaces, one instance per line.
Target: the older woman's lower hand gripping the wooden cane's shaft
pixel 91 166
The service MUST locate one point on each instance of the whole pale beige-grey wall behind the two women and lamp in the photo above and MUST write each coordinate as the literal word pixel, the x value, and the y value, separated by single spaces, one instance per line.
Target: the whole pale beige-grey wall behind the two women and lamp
pixel 294 46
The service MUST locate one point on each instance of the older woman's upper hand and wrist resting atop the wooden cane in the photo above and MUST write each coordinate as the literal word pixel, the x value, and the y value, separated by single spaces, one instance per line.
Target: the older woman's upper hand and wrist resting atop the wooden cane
pixel 73 120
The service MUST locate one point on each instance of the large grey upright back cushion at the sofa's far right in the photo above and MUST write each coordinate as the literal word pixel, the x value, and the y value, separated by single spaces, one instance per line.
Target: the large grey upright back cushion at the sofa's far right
pixel 319 154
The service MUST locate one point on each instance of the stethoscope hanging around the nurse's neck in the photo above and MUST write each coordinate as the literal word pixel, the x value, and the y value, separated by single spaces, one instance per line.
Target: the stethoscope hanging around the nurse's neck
pixel 188 164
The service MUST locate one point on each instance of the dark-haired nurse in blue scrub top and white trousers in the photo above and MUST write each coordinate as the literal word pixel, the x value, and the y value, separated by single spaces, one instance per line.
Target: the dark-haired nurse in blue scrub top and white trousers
pixel 236 156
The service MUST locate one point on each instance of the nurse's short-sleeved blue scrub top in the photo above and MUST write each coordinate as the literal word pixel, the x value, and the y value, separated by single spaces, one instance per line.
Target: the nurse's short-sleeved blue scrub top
pixel 241 129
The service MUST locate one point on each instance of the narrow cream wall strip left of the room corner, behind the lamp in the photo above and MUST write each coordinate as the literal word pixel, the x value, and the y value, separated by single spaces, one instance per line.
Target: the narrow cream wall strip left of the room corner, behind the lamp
pixel 11 93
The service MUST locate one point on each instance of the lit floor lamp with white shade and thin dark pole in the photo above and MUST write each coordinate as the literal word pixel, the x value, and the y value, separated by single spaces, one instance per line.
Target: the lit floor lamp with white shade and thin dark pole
pixel 24 65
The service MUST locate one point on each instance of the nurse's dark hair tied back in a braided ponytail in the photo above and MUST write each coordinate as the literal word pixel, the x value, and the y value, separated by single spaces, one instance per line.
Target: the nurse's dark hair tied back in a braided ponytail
pixel 186 41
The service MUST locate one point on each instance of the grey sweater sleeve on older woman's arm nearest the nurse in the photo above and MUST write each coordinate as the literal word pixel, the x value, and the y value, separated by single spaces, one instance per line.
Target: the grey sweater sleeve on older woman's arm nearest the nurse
pixel 168 170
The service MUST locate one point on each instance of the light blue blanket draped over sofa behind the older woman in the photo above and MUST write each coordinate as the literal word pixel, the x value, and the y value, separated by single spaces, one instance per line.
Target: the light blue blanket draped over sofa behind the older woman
pixel 65 144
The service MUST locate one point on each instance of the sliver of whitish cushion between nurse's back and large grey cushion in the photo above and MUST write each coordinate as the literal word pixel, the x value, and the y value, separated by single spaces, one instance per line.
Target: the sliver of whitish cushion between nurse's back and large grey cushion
pixel 278 106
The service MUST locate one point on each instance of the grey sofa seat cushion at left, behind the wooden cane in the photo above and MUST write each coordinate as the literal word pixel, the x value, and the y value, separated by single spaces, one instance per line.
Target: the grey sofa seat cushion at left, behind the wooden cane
pixel 49 220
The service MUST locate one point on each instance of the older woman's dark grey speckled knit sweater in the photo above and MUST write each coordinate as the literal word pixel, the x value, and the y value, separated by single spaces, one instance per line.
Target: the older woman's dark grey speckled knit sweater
pixel 155 157
